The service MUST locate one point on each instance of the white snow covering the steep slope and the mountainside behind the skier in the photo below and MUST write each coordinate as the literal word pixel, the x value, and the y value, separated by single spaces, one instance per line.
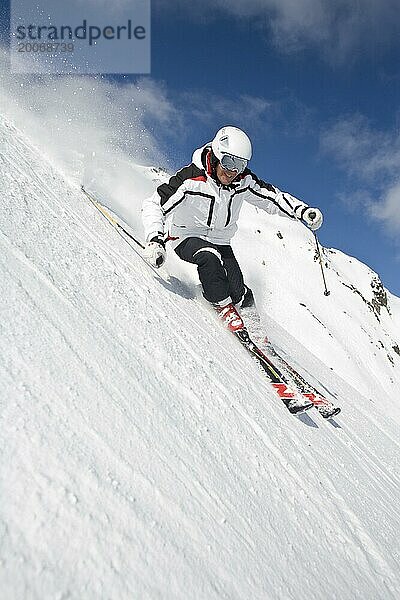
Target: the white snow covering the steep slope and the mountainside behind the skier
pixel 142 453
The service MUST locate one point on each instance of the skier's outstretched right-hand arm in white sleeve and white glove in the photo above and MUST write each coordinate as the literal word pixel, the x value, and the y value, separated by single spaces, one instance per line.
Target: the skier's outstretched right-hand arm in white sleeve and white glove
pixel 269 198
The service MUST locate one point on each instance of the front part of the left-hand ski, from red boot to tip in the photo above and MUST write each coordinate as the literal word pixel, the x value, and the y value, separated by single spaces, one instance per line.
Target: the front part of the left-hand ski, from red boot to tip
pixel 295 403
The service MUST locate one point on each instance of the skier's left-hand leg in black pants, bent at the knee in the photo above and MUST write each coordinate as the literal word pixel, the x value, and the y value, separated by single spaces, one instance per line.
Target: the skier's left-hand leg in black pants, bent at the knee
pixel 212 273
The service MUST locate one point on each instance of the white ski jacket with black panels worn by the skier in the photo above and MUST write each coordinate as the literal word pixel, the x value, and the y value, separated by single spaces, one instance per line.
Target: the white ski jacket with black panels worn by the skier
pixel 194 204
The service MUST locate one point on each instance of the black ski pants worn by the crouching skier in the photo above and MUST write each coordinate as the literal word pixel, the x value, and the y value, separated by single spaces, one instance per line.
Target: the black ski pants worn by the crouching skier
pixel 219 271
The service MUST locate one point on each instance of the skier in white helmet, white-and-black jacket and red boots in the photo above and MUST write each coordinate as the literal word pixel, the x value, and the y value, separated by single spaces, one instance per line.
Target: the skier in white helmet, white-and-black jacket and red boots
pixel 197 211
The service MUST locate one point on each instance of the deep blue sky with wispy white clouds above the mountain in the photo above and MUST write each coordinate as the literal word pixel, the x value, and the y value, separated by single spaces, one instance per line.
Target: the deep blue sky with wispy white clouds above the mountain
pixel 315 83
